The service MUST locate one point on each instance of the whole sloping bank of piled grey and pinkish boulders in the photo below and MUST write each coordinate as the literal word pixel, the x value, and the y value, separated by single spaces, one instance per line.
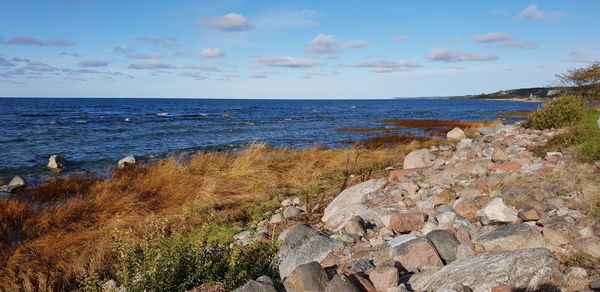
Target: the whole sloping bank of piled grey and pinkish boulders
pixel 483 214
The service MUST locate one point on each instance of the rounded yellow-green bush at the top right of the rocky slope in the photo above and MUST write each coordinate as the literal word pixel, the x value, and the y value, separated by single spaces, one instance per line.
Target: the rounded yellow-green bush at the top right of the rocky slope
pixel 563 111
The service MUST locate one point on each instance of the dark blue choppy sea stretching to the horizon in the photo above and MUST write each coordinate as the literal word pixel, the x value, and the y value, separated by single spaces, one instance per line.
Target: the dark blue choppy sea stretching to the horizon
pixel 92 134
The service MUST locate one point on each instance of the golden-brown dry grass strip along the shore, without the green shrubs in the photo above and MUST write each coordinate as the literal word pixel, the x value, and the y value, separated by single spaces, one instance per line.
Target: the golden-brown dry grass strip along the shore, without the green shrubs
pixel 68 228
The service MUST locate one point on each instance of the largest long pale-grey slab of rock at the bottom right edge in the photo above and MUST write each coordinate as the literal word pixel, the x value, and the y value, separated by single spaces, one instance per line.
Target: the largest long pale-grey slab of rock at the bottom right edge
pixel 527 269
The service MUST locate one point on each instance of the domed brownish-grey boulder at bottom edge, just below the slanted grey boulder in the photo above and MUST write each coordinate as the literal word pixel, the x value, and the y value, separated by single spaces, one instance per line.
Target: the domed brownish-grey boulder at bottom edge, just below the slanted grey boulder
pixel 307 277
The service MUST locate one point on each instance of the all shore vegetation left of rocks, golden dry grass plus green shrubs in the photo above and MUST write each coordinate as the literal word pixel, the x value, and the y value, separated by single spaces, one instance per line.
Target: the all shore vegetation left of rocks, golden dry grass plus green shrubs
pixel 152 225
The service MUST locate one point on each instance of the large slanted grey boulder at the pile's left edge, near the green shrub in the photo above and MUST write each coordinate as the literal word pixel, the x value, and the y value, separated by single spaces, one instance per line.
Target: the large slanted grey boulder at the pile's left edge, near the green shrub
pixel 315 248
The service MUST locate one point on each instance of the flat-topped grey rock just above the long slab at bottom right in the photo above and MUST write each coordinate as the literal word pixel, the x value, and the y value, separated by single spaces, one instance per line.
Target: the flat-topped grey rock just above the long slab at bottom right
pixel 510 237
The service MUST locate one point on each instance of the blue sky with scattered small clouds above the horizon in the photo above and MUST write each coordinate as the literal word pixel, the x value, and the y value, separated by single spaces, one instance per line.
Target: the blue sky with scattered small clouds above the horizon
pixel 290 49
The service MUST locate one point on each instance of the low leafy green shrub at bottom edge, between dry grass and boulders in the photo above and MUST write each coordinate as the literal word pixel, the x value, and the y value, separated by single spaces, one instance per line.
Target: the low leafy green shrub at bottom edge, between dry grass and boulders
pixel 183 261
